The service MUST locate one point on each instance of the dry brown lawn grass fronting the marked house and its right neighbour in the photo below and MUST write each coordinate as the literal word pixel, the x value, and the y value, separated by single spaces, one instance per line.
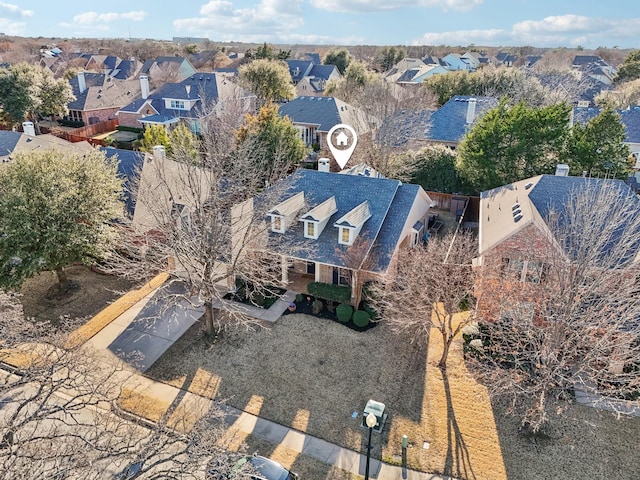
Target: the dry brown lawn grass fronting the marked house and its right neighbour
pixel 311 374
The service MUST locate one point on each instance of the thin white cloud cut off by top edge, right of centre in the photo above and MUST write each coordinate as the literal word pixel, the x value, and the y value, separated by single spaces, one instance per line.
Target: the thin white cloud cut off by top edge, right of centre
pixel 379 5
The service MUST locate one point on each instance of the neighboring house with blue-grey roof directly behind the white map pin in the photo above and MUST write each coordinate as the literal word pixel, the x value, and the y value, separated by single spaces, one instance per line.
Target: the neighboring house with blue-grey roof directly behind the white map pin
pixel 315 116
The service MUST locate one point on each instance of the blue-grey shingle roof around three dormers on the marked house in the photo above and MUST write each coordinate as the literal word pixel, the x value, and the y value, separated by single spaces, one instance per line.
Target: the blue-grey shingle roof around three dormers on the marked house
pixel 349 191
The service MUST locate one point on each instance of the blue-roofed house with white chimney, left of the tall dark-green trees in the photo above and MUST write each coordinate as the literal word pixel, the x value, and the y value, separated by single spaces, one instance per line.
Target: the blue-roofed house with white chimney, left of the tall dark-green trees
pixel 454 119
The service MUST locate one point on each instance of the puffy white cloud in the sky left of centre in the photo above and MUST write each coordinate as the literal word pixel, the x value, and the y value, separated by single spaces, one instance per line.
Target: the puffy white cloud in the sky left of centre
pixel 268 19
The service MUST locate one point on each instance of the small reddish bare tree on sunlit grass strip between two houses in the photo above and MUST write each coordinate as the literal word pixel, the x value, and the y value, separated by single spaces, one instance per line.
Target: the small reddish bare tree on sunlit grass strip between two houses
pixel 432 283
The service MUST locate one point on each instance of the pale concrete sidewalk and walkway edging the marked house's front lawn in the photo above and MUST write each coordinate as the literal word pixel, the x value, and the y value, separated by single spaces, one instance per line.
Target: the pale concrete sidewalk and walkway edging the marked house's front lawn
pixel 237 420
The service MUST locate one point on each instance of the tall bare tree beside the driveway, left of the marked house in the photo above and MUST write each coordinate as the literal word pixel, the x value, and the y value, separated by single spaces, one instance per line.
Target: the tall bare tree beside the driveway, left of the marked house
pixel 200 222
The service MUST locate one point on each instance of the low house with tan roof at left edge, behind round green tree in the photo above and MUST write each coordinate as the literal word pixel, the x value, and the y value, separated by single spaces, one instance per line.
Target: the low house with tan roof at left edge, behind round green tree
pixel 14 142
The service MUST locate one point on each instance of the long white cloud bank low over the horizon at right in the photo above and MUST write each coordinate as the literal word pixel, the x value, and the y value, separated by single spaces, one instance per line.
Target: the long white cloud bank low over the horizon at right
pixel 565 30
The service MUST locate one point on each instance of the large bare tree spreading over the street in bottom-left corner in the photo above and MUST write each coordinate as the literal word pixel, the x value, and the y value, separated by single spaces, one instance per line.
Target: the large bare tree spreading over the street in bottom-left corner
pixel 62 416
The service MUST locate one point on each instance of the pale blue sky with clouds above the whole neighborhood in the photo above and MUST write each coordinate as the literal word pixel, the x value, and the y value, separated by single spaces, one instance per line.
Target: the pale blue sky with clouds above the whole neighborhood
pixel 540 23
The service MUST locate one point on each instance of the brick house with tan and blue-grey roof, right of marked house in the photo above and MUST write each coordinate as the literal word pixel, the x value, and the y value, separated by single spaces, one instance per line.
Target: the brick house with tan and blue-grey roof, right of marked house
pixel 515 236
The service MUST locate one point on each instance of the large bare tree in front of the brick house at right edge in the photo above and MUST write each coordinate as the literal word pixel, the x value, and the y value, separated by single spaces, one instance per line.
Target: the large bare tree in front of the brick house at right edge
pixel 566 319
